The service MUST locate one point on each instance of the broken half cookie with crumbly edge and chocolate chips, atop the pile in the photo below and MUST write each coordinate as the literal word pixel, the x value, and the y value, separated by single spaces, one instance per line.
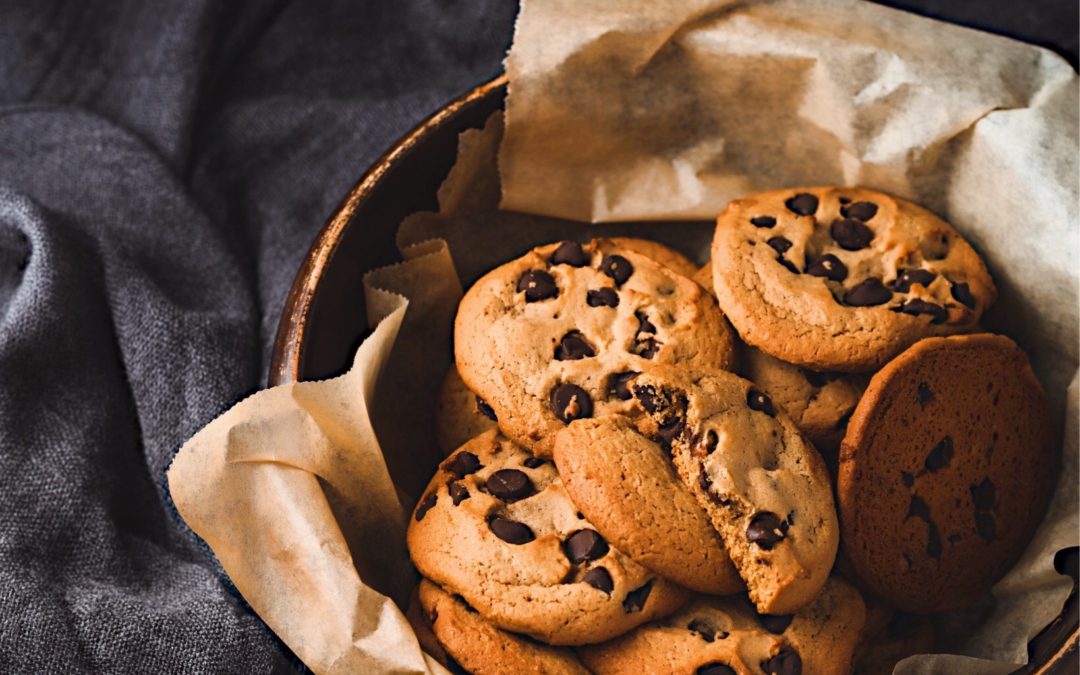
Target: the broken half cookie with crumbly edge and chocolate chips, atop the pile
pixel 765 490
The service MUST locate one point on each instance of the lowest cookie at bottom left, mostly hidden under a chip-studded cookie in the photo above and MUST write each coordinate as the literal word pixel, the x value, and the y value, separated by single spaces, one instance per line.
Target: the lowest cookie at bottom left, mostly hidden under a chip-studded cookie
pixel 480 649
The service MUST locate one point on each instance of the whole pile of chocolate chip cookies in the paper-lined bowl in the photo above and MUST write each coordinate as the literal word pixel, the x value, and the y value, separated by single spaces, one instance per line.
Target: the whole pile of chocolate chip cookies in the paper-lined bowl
pixel 779 464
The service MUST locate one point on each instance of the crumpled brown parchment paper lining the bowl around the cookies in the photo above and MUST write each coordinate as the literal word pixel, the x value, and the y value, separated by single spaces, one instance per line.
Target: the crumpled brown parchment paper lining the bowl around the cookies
pixel 652 111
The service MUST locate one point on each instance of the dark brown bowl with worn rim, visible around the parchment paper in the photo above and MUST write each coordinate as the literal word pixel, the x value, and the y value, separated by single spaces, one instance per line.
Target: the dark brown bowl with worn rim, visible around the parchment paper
pixel 323 321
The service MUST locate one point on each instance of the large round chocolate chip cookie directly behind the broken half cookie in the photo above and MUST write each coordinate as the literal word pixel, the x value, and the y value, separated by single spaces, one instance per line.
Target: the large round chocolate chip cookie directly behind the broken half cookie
pixel 552 336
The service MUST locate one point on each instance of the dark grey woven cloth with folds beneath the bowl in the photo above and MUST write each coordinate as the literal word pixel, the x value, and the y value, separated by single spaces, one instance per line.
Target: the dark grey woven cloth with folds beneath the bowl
pixel 164 169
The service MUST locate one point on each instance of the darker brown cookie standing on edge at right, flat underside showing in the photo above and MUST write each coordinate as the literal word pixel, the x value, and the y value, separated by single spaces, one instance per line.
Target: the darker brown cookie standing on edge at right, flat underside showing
pixel 946 471
